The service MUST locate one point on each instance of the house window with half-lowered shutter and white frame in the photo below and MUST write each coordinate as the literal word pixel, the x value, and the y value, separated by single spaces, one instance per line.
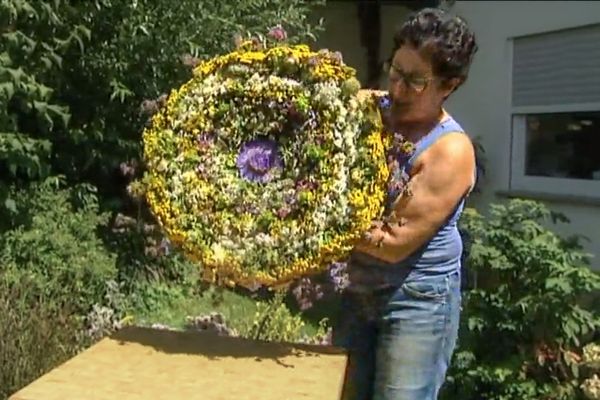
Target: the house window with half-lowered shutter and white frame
pixel 556 112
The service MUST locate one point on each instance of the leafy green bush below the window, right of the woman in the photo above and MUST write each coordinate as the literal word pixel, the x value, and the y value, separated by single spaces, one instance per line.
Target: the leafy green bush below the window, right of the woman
pixel 524 323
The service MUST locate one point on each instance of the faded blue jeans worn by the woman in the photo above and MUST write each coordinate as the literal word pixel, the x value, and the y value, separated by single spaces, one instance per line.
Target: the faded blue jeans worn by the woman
pixel 400 341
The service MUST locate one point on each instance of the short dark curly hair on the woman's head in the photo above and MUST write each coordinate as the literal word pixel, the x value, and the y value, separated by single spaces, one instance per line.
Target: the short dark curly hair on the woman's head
pixel 444 38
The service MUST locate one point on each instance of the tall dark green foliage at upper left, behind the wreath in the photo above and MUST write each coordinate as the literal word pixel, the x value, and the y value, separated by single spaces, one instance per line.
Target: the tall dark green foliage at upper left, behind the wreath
pixel 73 75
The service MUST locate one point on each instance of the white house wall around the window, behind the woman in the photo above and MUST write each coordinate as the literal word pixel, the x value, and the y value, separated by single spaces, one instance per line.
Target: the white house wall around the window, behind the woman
pixel 483 103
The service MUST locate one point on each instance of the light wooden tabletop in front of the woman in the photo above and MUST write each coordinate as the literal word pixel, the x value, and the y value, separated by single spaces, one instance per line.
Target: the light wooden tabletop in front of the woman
pixel 141 363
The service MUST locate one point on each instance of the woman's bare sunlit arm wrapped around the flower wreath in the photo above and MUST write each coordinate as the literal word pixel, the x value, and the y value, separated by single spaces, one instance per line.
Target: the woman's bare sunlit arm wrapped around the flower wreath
pixel 443 175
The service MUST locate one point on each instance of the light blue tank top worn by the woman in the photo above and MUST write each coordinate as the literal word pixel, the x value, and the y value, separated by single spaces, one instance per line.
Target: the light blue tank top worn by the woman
pixel 439 256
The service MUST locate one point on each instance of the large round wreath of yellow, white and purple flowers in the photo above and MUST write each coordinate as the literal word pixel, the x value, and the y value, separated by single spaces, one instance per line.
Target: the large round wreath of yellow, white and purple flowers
pixel 267 165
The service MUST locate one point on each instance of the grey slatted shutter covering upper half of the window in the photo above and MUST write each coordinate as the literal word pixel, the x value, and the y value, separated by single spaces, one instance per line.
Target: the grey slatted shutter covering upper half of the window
pixel 561 67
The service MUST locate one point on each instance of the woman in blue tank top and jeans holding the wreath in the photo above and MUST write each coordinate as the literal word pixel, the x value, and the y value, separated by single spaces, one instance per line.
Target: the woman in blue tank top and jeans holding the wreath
pixel 401 312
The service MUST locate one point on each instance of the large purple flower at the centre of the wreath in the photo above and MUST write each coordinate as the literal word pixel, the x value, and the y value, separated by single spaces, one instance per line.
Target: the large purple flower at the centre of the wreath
pixel 258 159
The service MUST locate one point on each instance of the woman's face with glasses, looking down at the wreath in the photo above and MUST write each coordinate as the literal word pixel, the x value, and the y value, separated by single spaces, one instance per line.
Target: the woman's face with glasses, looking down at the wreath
pixel 417 94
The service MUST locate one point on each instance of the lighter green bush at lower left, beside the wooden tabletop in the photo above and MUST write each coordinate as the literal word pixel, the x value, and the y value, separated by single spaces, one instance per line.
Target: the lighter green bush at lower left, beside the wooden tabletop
pixel 53 270
